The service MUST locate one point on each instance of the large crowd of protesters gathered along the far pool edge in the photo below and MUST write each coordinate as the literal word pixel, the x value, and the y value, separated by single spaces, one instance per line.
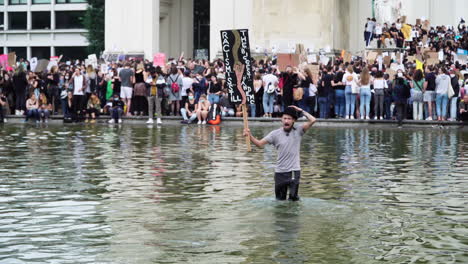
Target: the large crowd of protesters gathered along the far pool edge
pixel 357 89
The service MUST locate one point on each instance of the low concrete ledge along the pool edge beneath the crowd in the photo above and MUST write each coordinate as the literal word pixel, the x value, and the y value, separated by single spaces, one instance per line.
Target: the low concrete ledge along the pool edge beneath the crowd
pixel 261 121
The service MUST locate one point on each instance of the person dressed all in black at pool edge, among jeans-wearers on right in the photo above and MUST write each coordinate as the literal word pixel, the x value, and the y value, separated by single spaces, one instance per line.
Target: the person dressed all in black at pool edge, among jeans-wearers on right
pixel 401 93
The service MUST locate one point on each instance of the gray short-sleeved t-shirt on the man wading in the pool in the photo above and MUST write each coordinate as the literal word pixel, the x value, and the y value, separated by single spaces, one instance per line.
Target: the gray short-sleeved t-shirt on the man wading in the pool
pixel 288 146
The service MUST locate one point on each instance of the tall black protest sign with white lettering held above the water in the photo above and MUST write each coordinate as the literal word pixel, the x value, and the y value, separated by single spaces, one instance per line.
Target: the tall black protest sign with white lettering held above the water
pixel 236 50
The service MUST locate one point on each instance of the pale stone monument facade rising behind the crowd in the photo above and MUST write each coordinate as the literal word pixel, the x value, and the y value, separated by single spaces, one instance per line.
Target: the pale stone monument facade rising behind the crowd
pixel 151 26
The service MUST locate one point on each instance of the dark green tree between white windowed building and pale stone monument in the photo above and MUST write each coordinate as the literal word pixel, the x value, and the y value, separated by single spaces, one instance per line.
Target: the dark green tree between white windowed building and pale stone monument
pixel 93 21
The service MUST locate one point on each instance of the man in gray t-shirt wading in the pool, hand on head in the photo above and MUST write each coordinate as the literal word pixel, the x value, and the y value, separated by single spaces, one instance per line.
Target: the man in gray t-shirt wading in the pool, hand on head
pixel 287 140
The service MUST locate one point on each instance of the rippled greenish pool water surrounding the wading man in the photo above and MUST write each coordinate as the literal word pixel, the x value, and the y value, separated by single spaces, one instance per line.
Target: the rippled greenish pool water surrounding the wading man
pixel 173 194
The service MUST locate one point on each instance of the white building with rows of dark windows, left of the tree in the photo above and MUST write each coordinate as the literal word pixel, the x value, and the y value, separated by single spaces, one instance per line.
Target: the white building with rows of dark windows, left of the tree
pixel 43 28
